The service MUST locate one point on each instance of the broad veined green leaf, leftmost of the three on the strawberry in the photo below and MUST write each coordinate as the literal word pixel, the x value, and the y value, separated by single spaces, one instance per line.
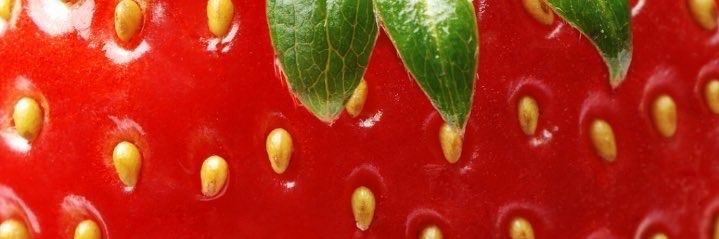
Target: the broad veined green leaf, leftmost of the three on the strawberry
pixel 323 48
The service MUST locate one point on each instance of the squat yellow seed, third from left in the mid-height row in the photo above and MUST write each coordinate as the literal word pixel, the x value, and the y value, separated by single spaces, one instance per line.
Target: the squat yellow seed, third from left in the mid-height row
pixel 213 175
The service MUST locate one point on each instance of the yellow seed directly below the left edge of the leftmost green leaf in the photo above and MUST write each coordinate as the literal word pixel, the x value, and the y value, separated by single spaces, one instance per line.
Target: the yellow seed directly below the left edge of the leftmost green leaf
pixel 279 149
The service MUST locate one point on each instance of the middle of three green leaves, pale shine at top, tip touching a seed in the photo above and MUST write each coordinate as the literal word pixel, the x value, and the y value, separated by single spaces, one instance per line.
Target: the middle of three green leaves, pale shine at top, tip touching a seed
pixel 437 41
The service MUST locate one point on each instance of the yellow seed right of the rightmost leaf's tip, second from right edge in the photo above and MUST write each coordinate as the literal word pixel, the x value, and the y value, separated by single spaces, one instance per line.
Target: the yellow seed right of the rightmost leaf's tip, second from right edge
pixel 664 113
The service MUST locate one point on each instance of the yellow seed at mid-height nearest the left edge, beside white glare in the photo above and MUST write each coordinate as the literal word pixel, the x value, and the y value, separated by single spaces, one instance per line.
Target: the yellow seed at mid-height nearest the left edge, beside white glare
pixel 28 118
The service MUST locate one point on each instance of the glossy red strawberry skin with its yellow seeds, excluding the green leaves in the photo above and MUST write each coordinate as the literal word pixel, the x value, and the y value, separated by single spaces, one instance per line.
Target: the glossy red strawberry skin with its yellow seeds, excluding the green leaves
pixel 181 94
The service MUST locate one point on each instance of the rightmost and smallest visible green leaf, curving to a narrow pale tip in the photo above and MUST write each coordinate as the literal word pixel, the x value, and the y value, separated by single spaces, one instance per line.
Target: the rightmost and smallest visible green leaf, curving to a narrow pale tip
pixel 607 24
